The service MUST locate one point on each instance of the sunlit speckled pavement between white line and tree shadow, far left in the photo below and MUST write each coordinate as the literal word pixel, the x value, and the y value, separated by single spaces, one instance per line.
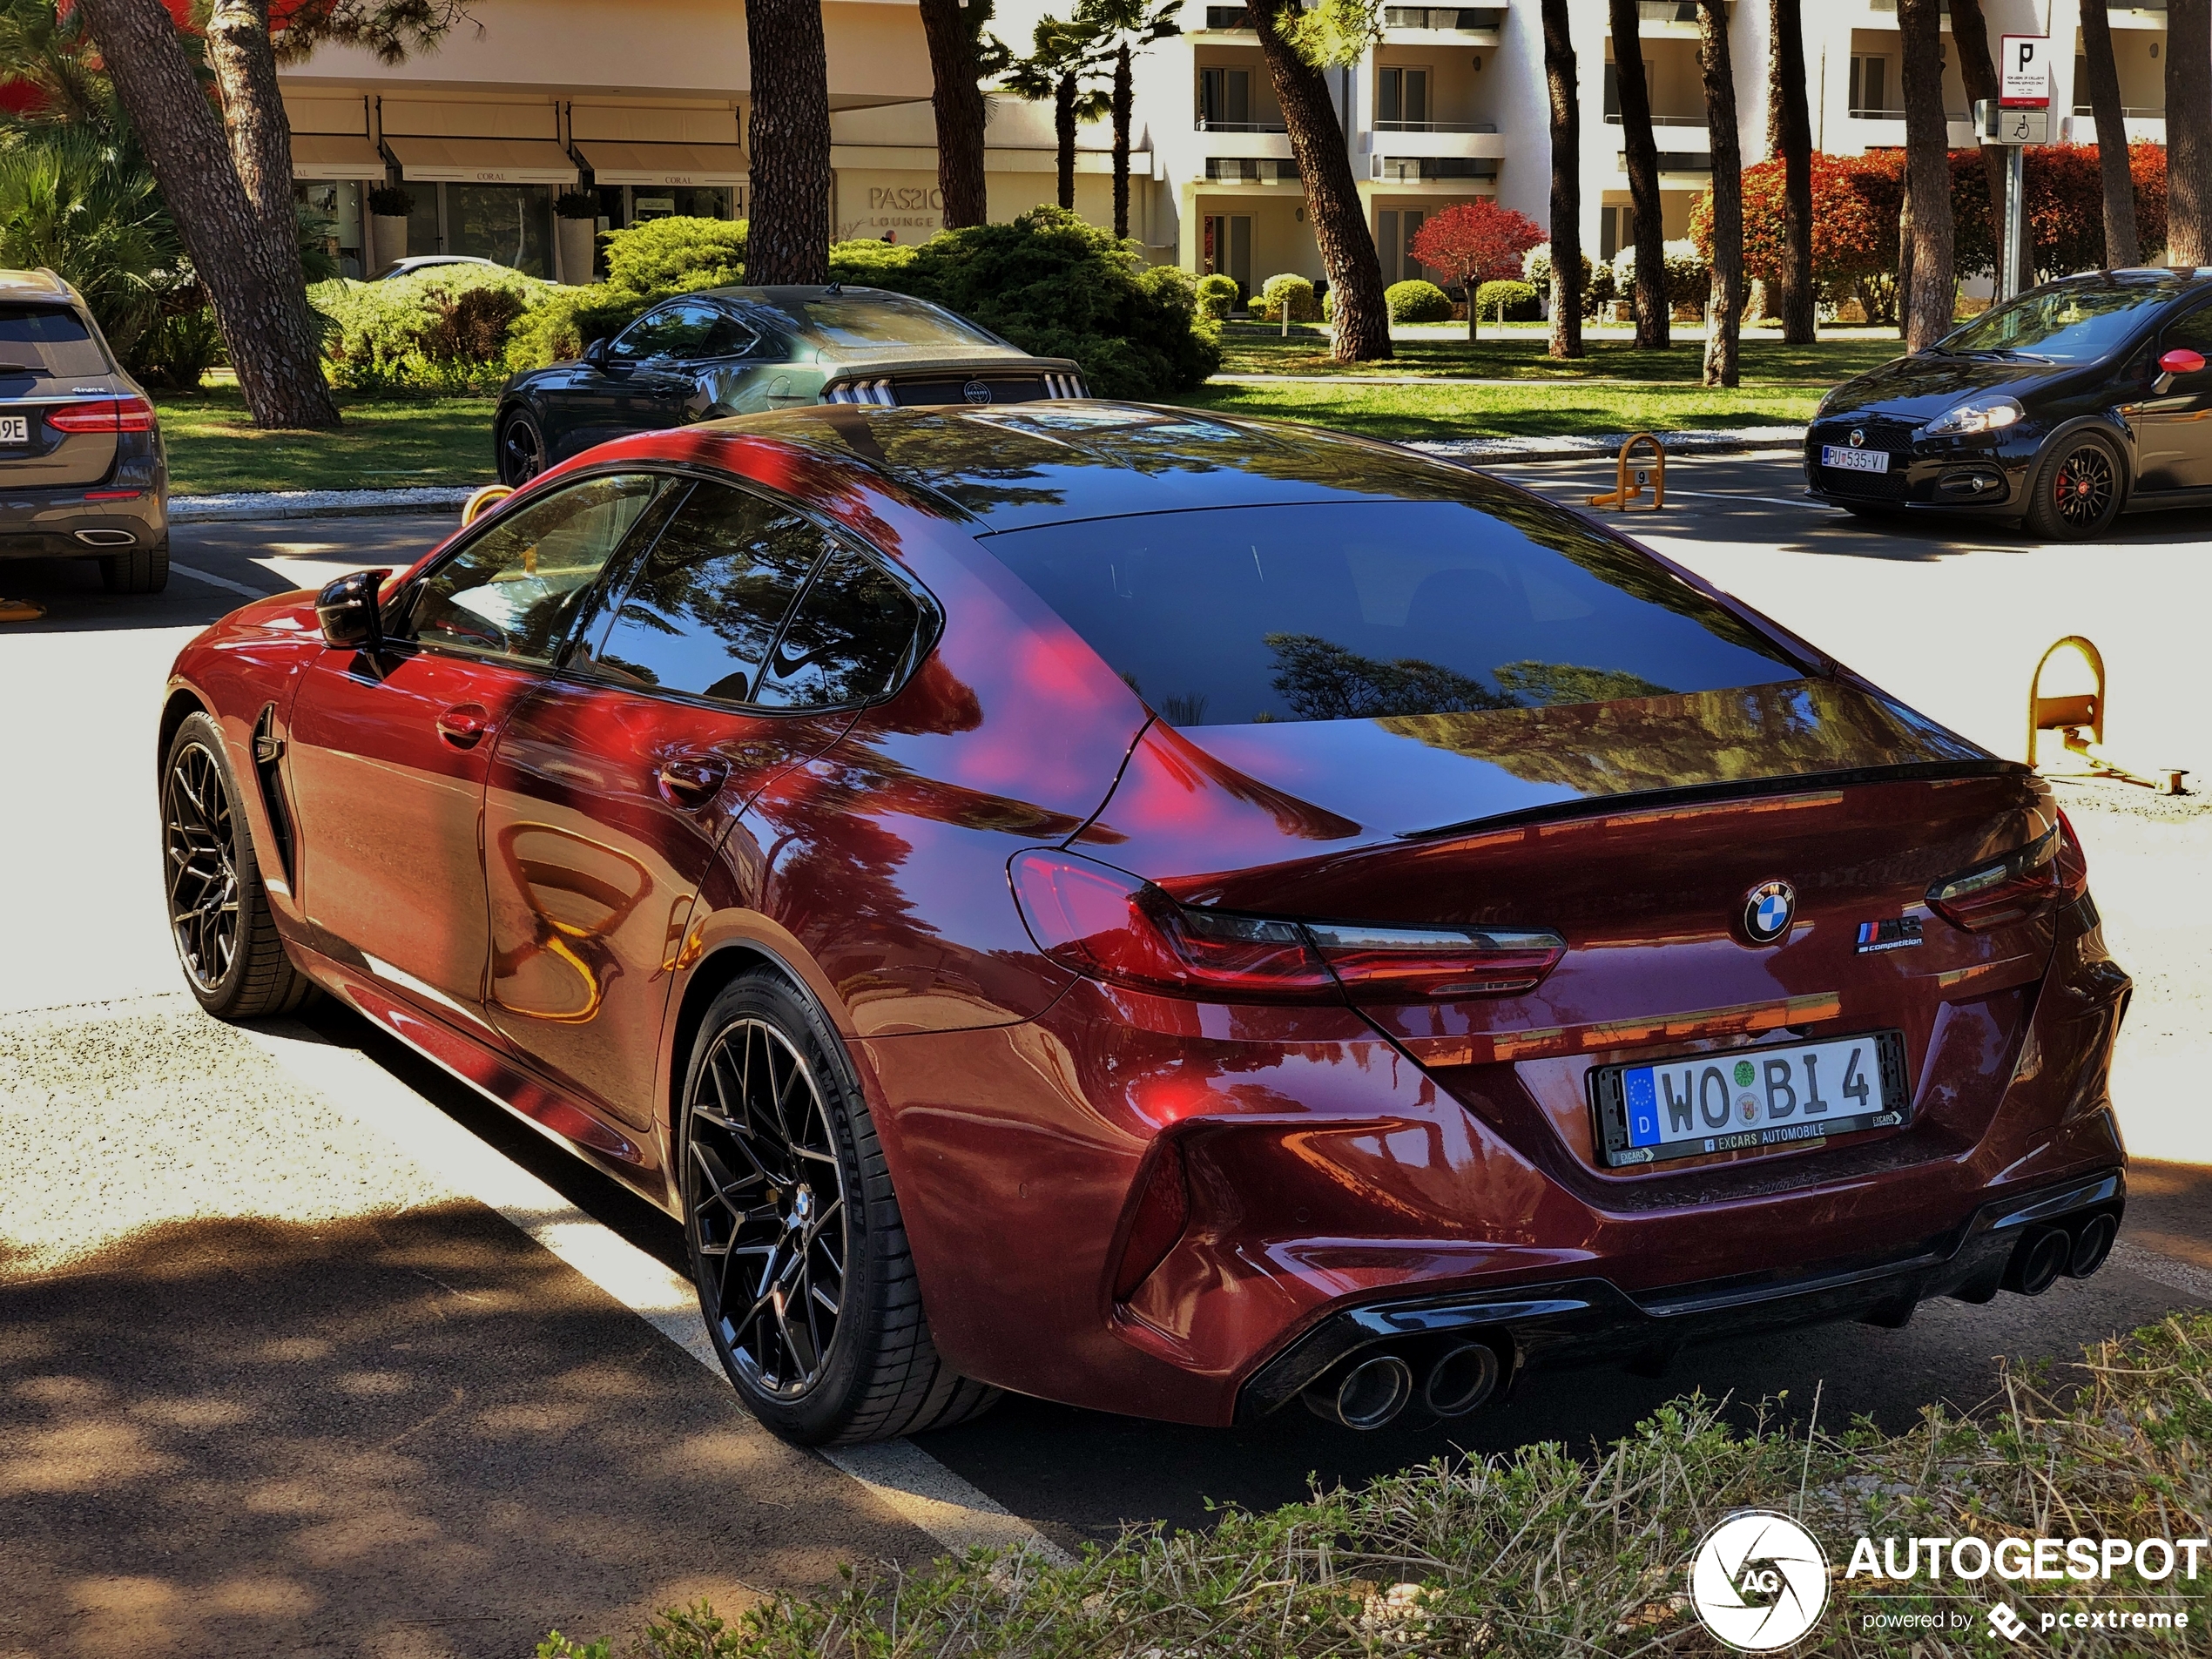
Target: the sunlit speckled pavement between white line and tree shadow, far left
pixel 127 1116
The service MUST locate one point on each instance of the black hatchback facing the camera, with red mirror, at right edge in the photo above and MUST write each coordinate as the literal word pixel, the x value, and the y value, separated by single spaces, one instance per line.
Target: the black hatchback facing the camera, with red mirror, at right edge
pixel 2063 408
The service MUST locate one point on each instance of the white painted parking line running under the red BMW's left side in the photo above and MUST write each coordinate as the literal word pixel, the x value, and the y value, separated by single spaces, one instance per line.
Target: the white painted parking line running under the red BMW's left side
pixel 901 1474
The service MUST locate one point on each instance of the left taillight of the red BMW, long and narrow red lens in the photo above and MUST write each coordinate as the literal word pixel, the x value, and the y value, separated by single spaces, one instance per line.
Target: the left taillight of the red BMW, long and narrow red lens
pixel 1109 926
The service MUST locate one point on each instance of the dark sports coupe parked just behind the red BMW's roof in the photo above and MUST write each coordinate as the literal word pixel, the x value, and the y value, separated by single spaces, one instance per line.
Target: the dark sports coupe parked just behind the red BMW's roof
pixel 747 351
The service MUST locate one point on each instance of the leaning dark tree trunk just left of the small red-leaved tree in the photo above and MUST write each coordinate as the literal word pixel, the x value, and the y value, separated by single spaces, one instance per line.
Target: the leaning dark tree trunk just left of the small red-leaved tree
pixel 1333 198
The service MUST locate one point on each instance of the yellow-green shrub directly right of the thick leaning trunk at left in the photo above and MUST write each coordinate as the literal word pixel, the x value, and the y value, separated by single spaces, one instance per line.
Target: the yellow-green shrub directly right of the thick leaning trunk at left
pixel 437 331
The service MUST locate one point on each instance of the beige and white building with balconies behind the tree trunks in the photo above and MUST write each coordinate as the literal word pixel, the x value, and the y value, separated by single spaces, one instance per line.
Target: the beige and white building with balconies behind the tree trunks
pixel 645 105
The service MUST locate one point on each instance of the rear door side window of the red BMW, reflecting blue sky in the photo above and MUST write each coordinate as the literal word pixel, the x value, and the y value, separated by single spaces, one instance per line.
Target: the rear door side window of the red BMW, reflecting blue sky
pixel 711 596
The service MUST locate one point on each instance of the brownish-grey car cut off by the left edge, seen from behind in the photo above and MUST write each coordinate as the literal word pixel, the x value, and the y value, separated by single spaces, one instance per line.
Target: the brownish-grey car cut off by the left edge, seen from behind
pixel 83 472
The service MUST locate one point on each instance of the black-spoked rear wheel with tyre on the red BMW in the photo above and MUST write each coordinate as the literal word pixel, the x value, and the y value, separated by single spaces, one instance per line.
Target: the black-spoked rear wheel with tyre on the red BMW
pixel 795 1235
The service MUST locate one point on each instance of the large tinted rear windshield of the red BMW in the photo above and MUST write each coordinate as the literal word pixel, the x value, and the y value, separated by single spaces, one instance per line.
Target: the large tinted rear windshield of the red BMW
pixel 1370 609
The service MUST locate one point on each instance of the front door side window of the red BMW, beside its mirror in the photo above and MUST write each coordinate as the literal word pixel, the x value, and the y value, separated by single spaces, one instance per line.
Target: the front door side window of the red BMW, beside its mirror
pixel 519 587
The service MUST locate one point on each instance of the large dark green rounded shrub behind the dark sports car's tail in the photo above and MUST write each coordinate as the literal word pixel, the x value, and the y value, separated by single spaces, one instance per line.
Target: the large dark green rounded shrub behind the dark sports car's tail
pixel 1056 286
